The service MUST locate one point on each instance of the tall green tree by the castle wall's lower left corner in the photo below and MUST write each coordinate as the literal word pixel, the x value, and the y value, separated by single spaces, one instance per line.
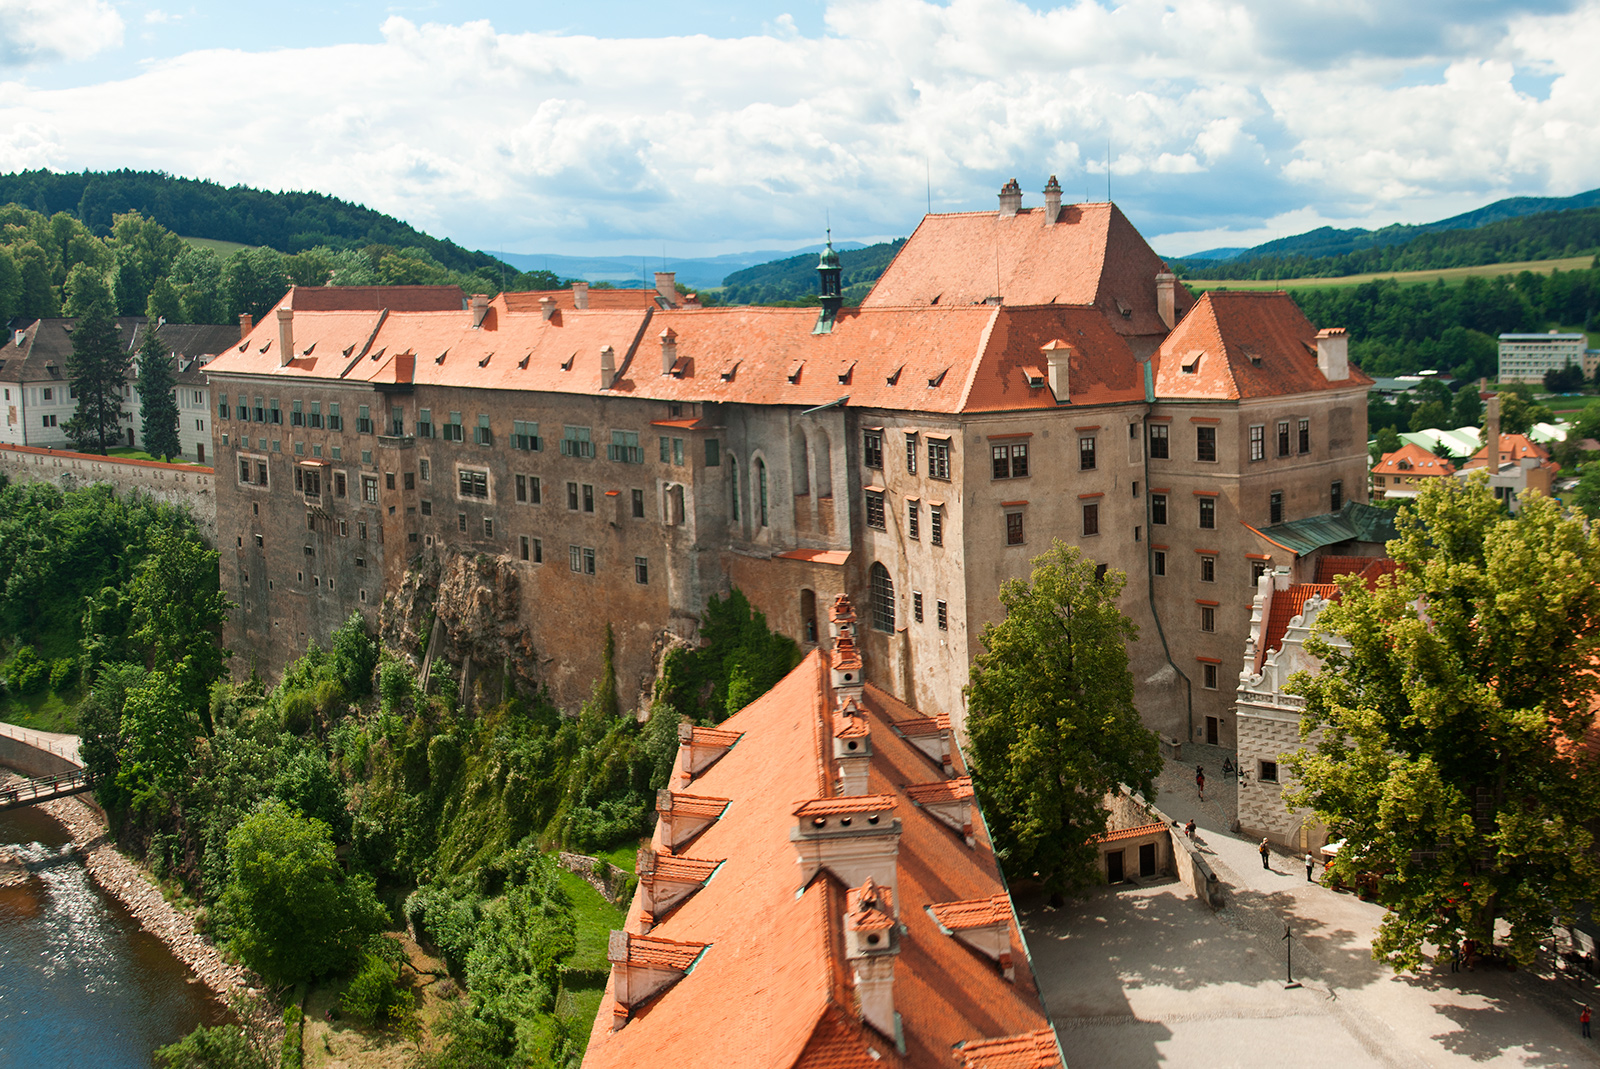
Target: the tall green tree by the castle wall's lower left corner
pixel 178 611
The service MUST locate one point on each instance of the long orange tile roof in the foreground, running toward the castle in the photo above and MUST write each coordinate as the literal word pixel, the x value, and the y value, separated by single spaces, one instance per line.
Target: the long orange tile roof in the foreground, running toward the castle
pixel 774 988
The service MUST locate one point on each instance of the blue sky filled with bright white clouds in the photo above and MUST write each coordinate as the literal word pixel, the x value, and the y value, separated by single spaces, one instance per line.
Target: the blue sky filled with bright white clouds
pixel 711 127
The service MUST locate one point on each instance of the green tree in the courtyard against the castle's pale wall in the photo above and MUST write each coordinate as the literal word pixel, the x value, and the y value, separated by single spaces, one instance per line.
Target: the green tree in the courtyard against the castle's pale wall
pixel 1052 721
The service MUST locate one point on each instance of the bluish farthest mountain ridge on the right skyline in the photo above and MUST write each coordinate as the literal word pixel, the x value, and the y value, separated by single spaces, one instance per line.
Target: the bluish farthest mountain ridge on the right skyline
pixel 1327 242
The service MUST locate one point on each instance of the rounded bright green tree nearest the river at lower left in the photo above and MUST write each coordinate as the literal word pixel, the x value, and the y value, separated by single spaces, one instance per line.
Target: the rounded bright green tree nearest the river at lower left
pixel 295 913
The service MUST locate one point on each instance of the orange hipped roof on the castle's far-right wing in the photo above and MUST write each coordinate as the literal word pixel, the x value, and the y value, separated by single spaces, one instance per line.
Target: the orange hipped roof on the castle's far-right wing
pixel 1225 337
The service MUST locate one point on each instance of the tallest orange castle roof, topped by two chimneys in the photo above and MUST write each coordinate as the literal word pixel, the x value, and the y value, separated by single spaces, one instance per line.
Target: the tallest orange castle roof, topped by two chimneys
pixel 1090 255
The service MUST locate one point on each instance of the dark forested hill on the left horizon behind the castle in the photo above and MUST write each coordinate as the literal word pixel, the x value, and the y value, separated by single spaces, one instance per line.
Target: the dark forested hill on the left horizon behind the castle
pixel 289 223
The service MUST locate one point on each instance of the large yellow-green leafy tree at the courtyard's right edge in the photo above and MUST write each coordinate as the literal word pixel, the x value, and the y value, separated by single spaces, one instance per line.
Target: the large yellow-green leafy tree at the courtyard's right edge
pixel 1450 731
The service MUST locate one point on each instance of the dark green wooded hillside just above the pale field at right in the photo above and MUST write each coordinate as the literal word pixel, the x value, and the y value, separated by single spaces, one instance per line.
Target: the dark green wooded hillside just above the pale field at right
pixel 1546 236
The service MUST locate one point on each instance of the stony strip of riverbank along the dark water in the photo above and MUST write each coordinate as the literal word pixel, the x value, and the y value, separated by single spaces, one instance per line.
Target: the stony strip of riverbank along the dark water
pixel 130 886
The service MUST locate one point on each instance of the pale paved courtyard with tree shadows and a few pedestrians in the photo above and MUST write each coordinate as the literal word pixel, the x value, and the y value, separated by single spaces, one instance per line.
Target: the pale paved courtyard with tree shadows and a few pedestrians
pixel 1143 977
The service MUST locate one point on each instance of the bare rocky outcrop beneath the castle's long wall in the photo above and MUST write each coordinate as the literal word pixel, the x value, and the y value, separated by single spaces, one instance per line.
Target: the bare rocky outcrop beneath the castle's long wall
pixel 478 603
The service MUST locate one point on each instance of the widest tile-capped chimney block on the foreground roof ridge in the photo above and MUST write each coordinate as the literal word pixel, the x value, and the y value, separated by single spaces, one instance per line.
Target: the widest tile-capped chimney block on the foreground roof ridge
pixel 855 838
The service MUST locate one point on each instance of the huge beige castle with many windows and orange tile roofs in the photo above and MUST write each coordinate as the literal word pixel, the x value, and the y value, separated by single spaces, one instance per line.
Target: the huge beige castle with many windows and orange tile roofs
pixel 1015 377
